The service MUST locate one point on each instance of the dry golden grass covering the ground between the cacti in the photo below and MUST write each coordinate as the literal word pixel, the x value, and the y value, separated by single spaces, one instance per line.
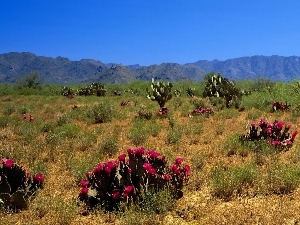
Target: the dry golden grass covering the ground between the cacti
pixel 73 146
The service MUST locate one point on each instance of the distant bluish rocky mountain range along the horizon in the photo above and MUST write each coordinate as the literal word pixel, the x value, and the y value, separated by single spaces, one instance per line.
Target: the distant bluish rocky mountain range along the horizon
pixel 60 70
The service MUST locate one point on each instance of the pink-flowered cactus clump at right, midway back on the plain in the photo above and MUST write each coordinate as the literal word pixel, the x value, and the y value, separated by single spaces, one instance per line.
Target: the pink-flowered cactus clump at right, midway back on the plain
pixel 276 133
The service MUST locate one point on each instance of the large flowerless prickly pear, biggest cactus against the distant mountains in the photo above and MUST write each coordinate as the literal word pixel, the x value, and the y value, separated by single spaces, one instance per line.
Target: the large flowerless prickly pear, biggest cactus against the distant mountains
pixel 217 86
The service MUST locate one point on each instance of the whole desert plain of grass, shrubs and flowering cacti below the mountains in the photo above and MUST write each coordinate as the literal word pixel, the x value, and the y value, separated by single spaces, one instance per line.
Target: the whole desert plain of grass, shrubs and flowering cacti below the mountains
pixel 209 152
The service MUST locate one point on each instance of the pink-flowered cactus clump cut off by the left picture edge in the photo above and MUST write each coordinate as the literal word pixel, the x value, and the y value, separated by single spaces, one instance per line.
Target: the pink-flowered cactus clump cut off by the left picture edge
pixel 17 187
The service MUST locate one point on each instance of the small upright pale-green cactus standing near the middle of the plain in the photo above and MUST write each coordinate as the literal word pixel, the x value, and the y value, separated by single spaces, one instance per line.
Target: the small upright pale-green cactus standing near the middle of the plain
pixel 161 92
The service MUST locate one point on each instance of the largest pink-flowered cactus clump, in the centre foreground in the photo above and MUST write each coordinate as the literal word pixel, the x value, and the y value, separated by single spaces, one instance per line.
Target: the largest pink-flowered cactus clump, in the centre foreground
pixel 125 179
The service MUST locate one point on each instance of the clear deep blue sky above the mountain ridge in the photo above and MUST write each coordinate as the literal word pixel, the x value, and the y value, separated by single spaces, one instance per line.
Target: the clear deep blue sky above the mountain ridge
pixel 150 32
